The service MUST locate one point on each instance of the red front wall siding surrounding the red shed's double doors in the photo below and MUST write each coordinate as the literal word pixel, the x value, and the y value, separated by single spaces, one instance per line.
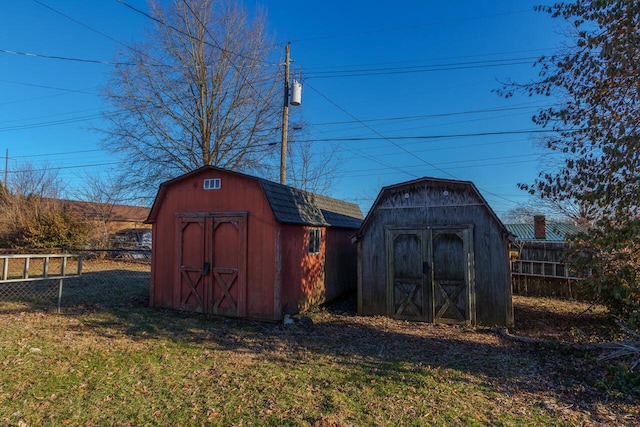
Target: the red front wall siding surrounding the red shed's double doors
pixel 237 194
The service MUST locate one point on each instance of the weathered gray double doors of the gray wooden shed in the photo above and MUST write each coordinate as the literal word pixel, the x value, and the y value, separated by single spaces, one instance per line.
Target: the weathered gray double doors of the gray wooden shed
pixel 430 275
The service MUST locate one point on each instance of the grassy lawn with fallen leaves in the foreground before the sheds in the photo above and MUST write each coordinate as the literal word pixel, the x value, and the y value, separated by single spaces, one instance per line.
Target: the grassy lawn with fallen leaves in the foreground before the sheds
pixel 142 366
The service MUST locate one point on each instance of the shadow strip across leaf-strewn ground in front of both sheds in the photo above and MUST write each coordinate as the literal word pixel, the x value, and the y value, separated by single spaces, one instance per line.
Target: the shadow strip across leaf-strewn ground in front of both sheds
pixel 375 348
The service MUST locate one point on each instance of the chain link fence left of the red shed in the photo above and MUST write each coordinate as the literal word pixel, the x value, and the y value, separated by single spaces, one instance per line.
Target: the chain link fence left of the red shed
pixel 109 278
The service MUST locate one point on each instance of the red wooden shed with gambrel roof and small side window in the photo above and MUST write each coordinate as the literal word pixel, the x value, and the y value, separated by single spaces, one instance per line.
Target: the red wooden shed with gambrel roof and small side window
pixel 236 245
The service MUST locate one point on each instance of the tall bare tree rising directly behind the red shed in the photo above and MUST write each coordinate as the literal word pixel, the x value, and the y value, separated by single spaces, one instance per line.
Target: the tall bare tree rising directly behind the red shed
pixel 198 91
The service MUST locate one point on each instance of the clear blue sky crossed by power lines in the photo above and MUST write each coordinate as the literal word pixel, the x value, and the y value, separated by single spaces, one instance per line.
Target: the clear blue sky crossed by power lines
pixel 402 90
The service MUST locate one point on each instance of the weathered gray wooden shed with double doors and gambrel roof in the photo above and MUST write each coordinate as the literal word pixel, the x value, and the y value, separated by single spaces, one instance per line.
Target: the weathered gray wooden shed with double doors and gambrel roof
pixel 433 250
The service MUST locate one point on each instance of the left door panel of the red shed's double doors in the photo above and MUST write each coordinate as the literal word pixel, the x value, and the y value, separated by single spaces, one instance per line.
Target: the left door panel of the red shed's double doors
pixel 189 294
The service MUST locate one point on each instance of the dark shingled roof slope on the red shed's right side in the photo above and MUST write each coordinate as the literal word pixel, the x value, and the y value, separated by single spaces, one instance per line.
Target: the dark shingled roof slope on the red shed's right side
pixel 293 206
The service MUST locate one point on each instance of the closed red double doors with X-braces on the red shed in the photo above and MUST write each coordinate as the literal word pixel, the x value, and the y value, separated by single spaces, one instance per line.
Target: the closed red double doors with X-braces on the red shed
pixel 211 258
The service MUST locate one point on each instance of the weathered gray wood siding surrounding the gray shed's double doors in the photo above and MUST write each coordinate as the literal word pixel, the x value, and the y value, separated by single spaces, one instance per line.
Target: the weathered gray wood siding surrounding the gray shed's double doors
pixel 420 205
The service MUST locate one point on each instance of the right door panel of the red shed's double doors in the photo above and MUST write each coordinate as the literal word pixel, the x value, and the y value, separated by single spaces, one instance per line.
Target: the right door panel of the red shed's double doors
pixel 228 268
